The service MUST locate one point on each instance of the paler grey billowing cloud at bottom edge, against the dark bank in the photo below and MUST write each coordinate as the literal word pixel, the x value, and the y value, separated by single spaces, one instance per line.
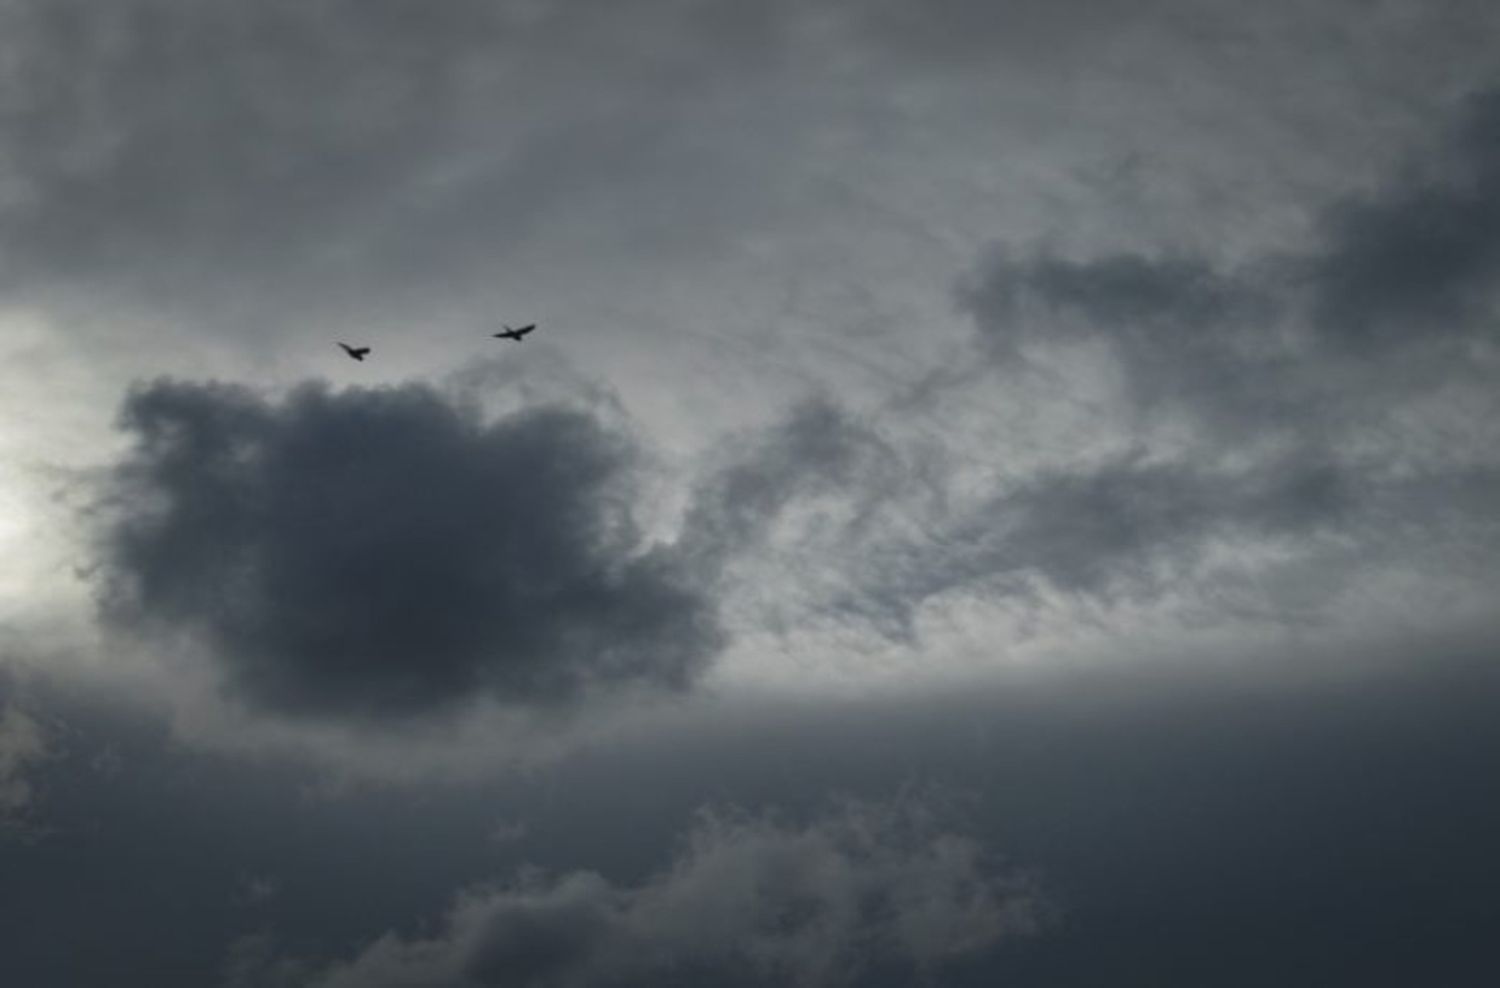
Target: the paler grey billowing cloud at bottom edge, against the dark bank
pixel 869 890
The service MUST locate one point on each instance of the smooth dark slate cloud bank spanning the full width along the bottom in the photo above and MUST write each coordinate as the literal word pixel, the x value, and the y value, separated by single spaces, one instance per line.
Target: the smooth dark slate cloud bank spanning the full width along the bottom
pixel 1234 819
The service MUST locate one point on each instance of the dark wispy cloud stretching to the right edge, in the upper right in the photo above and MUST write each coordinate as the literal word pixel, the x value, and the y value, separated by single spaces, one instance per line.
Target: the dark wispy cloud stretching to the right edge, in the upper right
pixel 1409 268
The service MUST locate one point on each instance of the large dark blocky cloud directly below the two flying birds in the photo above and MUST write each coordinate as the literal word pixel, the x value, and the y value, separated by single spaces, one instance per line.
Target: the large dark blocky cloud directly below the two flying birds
pixel 386 551
